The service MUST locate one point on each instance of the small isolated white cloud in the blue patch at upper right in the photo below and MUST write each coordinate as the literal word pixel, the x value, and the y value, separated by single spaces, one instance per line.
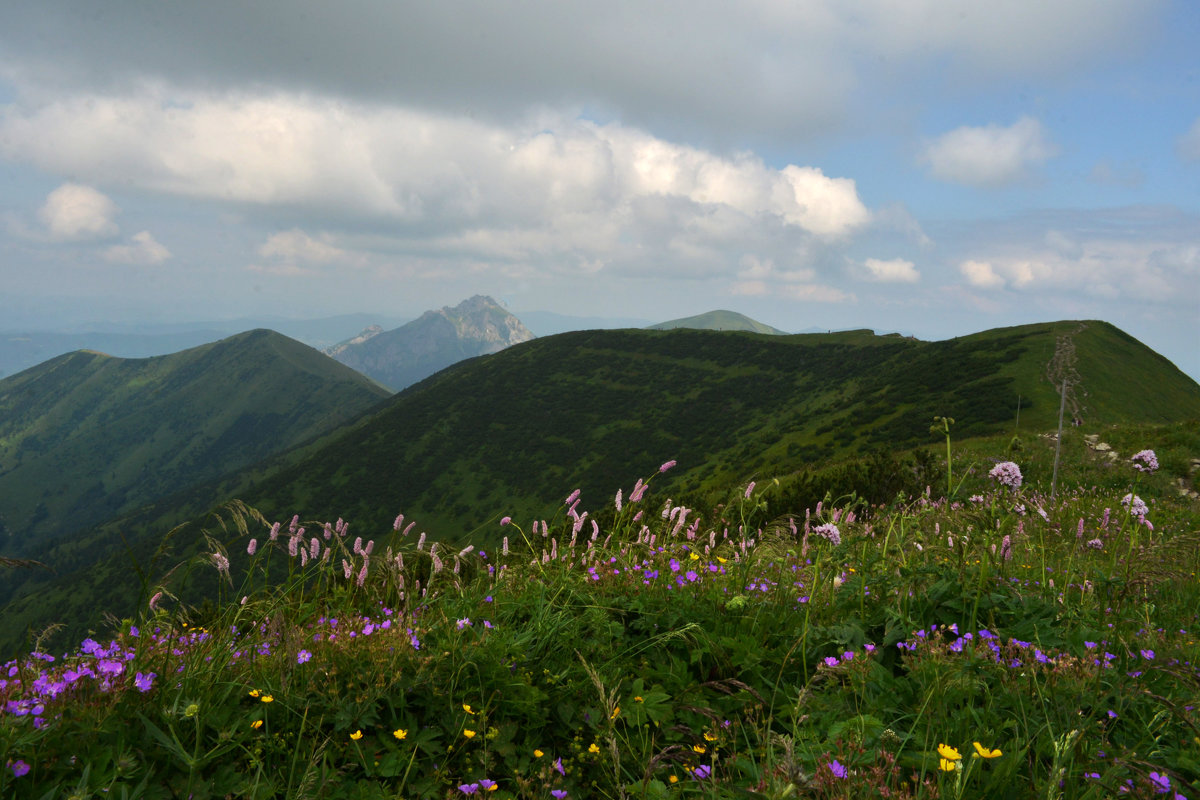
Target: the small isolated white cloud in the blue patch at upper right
pixel 989 155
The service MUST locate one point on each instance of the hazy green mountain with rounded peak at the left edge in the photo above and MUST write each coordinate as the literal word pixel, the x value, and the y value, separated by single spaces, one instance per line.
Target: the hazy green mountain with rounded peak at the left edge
pixel 87 436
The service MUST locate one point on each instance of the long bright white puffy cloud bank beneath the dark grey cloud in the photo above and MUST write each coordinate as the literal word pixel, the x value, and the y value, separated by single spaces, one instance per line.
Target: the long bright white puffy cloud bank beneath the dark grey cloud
pixel 555 190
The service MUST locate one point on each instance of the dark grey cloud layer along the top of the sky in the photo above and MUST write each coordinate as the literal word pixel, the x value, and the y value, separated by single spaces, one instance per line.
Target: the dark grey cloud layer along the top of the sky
pixel 764 69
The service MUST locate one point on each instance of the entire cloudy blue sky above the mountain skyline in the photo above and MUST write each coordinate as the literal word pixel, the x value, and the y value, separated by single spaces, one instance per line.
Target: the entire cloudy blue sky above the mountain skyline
pixel 933 167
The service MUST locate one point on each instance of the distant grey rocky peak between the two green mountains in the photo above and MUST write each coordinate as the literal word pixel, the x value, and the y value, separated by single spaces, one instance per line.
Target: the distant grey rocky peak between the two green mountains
pixel 433 342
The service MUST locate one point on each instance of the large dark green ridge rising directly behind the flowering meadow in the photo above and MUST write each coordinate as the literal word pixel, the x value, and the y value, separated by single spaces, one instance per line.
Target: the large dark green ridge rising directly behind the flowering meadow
pixel 514 432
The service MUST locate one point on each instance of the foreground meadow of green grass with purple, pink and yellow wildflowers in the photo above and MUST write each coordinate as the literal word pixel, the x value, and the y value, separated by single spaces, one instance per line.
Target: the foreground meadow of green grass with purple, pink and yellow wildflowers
pixel 848 652
